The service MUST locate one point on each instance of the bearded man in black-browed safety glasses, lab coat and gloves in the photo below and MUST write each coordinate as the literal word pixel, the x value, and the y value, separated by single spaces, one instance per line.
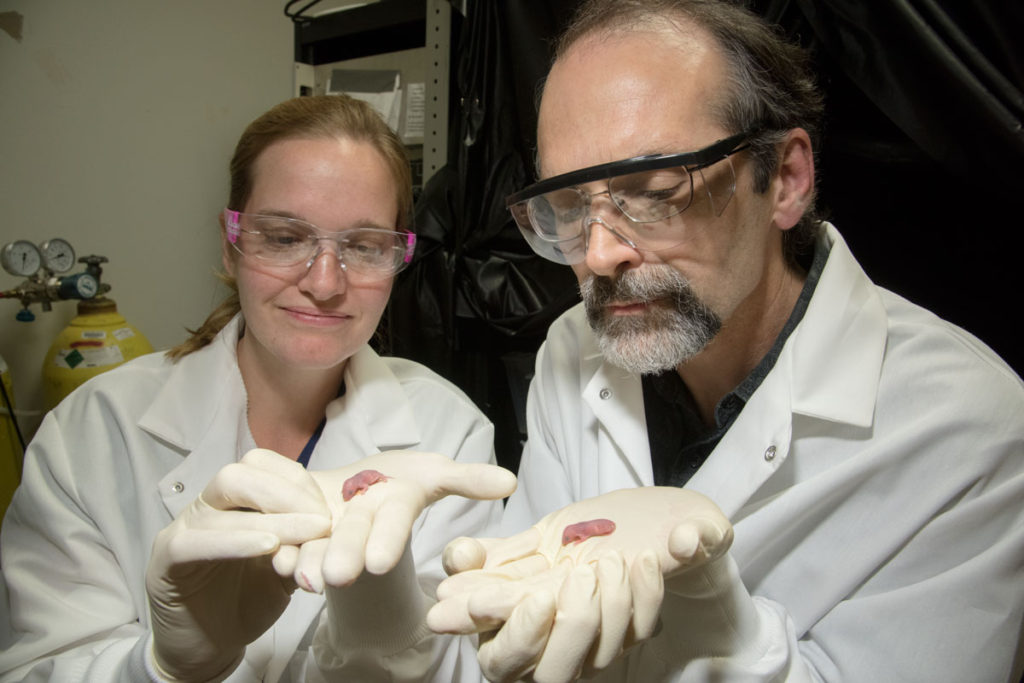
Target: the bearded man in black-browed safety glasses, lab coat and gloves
pixel 869 456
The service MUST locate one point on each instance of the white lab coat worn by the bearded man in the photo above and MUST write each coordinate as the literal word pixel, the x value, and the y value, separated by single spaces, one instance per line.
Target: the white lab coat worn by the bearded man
pixel 875 481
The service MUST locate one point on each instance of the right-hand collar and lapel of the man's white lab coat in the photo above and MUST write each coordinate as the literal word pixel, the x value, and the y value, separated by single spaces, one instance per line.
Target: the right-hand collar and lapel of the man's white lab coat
pixel 829 370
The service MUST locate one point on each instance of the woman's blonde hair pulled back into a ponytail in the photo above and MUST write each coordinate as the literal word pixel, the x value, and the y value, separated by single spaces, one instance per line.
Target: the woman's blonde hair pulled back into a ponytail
pixel 323 117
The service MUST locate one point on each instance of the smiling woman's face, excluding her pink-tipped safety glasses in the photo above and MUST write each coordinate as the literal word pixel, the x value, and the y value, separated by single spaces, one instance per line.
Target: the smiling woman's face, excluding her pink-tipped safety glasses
pixel 316 318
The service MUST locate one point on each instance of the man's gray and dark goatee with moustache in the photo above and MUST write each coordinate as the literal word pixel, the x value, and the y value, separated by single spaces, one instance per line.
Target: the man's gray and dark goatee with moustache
pixel 661 338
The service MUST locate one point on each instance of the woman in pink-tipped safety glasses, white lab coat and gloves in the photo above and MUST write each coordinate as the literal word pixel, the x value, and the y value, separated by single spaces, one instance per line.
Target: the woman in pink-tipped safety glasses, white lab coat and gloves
pixel 115 566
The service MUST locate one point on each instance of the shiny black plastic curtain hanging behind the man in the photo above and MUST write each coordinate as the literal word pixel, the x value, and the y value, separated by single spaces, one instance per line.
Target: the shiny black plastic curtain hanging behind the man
pixel 922 169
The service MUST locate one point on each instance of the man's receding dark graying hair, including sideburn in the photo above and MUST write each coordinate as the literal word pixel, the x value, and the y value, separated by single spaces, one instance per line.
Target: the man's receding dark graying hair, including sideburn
pixel 772 88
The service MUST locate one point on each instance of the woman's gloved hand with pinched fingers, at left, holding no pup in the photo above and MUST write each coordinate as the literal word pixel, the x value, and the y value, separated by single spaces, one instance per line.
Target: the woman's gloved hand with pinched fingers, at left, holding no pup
pixel 211 586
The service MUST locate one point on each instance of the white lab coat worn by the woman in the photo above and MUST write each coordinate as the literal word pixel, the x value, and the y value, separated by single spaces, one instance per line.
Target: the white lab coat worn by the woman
pixel 123 455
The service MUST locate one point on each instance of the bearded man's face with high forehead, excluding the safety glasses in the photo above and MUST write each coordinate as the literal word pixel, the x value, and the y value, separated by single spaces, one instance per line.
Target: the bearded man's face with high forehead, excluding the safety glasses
pixel 613 98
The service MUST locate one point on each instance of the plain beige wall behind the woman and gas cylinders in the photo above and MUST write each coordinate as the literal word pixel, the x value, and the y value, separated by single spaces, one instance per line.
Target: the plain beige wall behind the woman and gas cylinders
pixel 117 121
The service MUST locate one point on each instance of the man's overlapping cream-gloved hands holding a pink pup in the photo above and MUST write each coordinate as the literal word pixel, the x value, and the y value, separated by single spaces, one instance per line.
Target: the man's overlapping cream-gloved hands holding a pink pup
pixel 567 604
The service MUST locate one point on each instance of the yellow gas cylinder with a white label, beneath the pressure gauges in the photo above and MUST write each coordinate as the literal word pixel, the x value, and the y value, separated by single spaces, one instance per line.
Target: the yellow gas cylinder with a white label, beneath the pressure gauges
pixel 97 340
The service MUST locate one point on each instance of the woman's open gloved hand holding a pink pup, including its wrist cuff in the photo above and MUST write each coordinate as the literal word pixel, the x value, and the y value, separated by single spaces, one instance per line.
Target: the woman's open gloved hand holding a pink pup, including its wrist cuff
pixel 375 620
